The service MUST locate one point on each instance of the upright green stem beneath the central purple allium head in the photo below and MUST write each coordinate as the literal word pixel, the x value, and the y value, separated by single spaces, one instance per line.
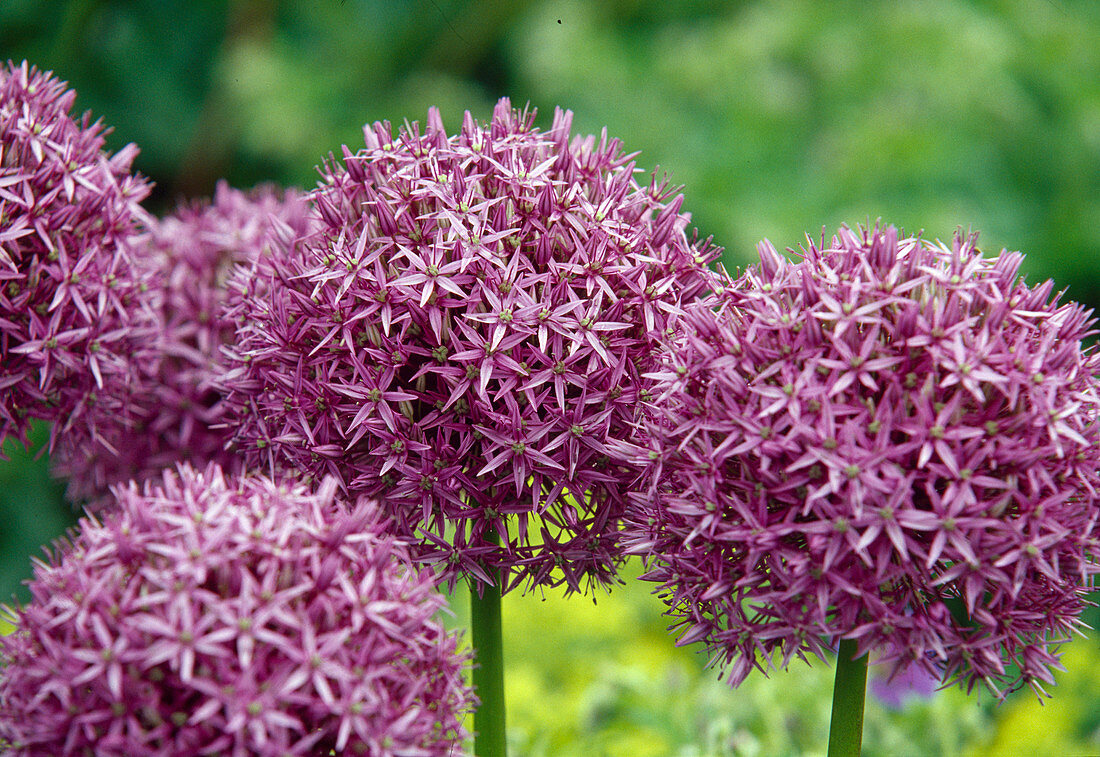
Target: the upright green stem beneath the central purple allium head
pixel 489 671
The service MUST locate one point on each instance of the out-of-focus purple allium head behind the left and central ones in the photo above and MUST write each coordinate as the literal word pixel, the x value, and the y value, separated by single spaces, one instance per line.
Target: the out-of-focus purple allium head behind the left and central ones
pixel 171 411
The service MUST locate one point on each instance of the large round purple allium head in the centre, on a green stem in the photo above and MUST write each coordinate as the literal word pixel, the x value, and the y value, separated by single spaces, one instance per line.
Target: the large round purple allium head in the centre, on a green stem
pixel 464 337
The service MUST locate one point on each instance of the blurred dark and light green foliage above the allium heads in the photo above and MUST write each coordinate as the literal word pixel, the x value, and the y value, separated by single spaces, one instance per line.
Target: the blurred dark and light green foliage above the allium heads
pixel 780 117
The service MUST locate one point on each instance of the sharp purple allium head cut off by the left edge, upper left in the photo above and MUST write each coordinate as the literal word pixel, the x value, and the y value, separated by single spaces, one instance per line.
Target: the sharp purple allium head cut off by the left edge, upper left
pixel 67 283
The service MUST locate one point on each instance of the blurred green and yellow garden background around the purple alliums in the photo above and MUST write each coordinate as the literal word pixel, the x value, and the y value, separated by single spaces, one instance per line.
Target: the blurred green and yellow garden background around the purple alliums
pixel 780 117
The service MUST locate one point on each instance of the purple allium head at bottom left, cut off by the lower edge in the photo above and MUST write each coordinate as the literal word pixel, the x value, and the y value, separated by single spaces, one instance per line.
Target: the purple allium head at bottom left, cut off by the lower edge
pixel 214 616
